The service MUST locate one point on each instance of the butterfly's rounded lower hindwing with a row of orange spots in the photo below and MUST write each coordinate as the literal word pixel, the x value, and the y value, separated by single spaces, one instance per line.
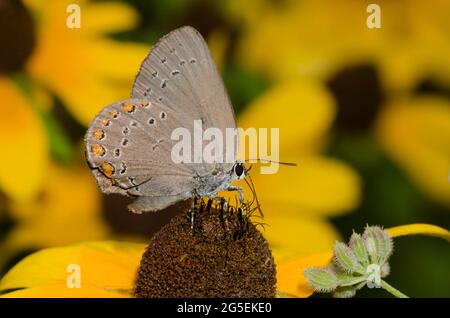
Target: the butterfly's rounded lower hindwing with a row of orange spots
pixel 128 148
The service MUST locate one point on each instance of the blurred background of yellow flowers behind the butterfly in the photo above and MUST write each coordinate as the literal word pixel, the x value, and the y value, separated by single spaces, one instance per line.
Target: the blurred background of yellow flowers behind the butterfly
pixel 366 113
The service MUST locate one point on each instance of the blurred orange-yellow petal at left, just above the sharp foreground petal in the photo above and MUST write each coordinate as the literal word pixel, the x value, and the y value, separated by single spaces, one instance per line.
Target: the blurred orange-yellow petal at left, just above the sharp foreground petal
pixel 67 210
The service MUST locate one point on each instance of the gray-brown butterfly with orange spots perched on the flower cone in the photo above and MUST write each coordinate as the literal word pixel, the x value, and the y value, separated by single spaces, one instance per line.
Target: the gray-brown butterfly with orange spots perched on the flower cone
pixel 128 144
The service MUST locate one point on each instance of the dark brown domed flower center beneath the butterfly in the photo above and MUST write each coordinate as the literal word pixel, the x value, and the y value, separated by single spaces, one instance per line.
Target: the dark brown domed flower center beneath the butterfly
pixel 218 260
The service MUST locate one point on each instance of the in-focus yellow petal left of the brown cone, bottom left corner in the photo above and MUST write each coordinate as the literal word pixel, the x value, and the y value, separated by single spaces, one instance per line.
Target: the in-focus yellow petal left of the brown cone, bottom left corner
pixel 110 266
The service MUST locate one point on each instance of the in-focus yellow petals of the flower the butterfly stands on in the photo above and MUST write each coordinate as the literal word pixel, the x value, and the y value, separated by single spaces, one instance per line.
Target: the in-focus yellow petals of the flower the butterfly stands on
pixel 108 268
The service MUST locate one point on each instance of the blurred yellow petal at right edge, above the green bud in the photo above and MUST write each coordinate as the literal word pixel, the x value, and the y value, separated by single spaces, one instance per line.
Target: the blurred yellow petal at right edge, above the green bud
pixel 415 131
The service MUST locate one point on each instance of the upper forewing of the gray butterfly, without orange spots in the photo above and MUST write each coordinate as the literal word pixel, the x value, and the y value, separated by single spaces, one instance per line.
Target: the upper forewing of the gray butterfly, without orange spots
pixel 180 72
